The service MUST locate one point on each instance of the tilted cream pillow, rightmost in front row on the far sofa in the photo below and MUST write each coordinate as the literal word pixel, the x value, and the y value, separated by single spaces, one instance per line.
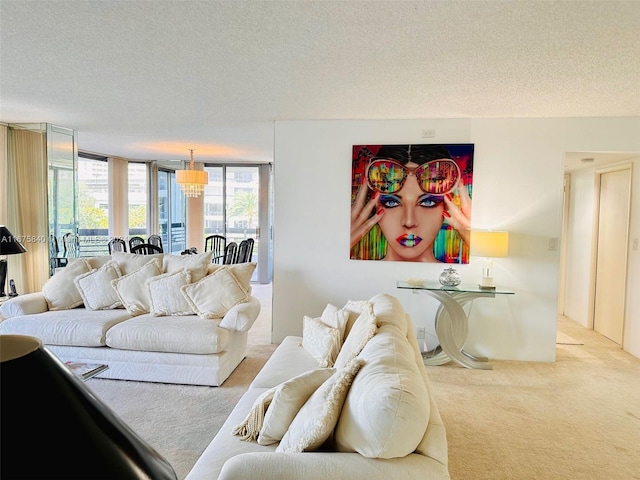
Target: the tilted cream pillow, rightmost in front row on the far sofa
pixel 215 294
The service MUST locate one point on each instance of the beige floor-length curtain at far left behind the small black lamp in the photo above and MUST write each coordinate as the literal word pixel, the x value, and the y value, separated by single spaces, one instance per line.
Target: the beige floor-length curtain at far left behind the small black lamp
pixel 26 205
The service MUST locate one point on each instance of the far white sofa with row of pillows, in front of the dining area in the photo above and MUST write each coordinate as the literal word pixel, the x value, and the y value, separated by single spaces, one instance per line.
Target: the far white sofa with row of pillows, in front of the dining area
pixel 156 318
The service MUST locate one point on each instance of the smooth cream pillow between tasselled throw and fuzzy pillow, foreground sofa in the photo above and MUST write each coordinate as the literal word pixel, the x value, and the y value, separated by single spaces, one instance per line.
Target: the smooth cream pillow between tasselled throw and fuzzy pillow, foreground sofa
pixel 288 399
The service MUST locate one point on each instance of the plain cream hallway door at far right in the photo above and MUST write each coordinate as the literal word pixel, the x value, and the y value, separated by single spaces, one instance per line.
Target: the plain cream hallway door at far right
pixel 614 195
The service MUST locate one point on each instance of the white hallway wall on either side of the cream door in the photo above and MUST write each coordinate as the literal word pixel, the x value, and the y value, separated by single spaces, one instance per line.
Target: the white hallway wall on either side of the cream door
pixel 580 251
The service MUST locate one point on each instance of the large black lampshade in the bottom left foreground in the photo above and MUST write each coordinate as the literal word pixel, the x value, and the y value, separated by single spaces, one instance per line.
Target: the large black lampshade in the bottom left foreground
pixel 53 426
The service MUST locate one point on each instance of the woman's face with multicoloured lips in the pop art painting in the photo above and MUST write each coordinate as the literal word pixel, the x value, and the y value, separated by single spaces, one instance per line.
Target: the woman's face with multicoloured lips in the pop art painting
pixel 411 222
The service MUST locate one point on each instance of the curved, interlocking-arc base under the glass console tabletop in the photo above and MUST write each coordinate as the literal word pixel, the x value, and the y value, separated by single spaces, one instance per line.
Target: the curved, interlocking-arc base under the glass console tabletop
pixel 452 328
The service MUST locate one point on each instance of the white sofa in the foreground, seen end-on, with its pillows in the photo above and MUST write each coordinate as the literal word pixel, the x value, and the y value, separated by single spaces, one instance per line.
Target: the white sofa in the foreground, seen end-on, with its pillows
pixel 361 409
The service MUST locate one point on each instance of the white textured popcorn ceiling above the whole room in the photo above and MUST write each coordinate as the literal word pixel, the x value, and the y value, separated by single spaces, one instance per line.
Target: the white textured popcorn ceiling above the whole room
pixel 152 79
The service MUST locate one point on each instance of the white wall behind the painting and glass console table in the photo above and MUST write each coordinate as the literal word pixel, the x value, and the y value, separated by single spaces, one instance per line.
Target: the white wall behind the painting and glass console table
pixel 518 174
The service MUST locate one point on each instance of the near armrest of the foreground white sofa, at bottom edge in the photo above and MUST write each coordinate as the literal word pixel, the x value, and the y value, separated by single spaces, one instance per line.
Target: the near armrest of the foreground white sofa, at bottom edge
pixel 323 465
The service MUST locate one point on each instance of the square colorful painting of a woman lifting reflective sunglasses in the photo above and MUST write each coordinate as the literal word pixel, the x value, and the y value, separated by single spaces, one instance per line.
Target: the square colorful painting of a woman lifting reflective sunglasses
pixel 411 202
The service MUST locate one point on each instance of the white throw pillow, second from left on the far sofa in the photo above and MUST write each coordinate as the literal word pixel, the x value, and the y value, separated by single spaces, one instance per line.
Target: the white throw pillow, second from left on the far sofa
pixel 95 287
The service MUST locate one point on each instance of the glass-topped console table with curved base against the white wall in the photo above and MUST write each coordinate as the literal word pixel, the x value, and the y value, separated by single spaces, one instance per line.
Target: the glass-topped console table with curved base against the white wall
pixel 452 324
